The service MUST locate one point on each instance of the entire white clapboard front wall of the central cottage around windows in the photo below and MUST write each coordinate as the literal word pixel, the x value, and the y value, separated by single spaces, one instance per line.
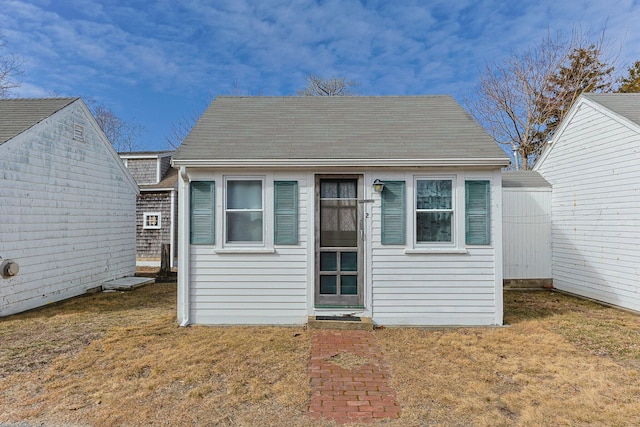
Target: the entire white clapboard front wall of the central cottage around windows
pixel 400 288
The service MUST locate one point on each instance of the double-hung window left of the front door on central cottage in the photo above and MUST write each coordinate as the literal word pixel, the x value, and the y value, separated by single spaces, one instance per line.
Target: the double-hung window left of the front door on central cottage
pixel 244 222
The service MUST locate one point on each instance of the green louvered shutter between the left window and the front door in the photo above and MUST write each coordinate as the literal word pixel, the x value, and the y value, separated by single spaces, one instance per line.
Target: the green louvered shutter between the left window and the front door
pixel 285 212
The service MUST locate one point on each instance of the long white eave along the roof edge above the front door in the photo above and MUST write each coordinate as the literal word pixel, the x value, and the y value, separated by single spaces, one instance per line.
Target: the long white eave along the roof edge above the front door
pixel 307 163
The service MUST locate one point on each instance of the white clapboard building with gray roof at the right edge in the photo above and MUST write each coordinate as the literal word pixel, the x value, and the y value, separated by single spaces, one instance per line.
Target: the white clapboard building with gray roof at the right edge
pixel 592 164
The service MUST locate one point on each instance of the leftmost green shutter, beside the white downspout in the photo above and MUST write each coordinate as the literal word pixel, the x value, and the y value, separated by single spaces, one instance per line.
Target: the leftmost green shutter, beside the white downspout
pixel 203 212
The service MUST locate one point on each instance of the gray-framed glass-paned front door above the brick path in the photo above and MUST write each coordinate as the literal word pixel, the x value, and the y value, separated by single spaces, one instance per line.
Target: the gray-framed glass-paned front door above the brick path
pixel 339 237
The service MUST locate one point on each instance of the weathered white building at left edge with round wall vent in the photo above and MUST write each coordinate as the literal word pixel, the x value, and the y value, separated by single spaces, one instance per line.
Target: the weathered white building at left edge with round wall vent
pixel 67 204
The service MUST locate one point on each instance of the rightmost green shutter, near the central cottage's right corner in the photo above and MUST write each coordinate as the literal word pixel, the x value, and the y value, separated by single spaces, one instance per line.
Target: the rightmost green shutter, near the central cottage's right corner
pixel 477 211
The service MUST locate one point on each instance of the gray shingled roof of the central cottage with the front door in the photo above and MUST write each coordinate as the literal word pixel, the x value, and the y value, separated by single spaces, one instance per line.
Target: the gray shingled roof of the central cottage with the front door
pixel 236 129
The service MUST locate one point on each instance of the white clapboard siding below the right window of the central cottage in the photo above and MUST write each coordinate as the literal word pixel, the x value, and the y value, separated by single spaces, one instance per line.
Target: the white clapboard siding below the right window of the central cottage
pixel 437 289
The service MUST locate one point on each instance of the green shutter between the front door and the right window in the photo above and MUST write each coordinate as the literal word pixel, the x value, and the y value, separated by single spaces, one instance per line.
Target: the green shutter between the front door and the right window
pixel 394 213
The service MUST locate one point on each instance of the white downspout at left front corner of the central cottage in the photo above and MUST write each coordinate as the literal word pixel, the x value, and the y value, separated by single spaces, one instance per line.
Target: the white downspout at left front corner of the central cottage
pixel 183 247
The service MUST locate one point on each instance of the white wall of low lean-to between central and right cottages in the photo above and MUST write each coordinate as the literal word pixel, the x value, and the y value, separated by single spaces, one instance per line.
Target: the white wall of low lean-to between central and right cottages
pixel 526 219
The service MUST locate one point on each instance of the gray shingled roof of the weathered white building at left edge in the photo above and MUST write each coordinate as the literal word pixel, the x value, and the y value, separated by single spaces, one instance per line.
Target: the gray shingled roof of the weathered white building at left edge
pixel 19 114
